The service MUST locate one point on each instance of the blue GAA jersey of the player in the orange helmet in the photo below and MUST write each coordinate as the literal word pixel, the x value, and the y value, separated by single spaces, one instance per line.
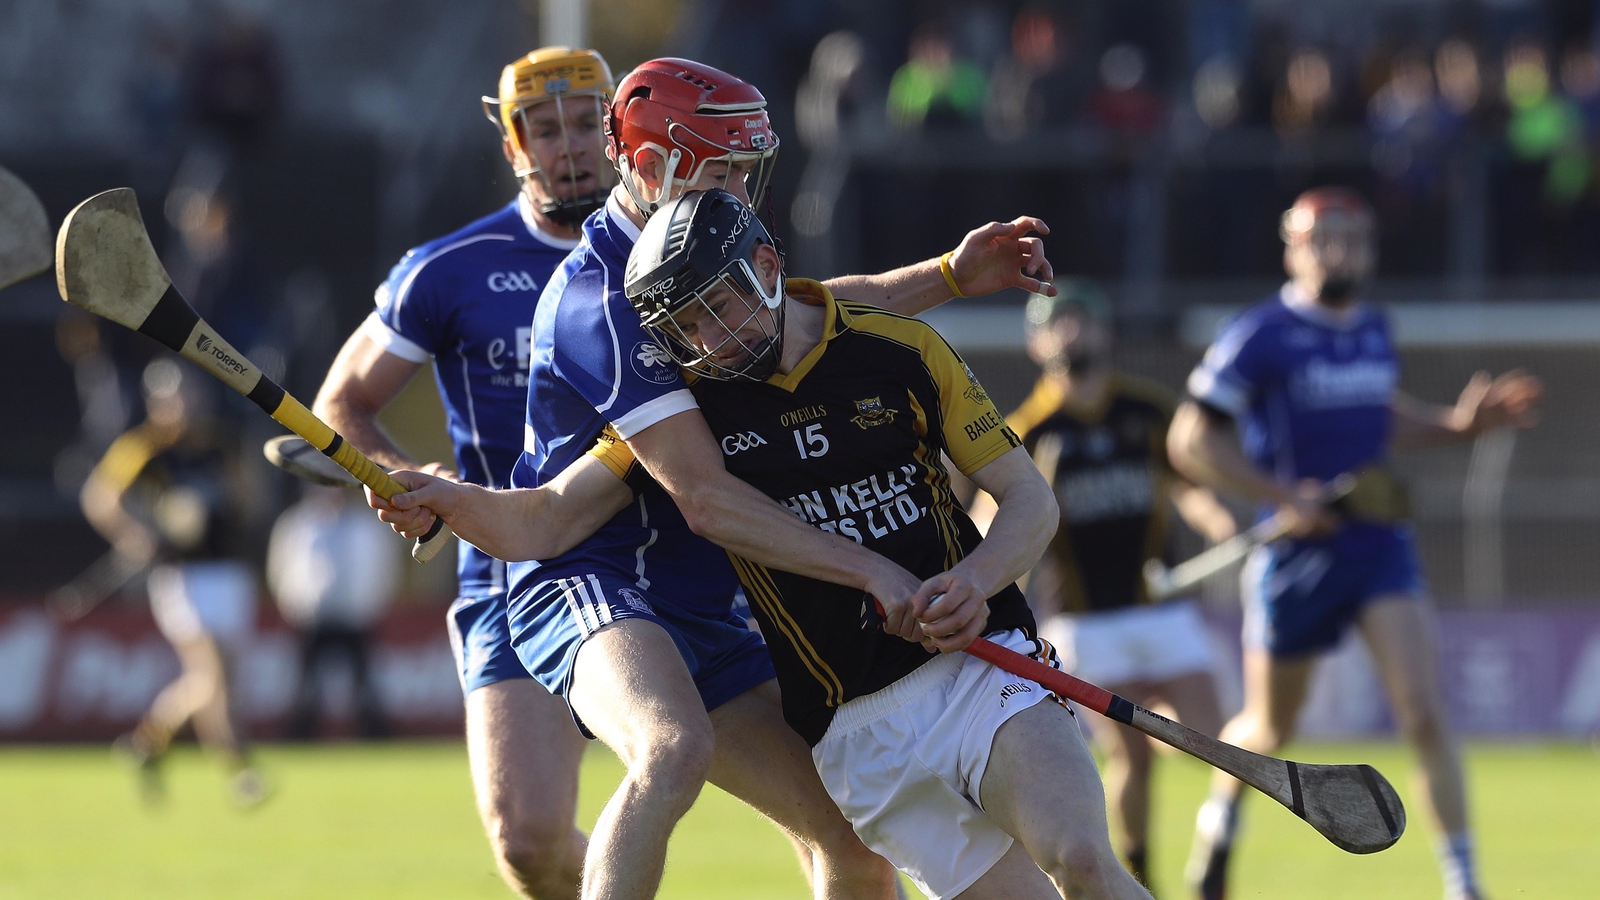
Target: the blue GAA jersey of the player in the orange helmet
pixel 466 303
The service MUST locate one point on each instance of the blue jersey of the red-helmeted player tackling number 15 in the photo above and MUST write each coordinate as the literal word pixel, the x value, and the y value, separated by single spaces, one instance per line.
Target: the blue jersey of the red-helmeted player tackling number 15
pixel 593 366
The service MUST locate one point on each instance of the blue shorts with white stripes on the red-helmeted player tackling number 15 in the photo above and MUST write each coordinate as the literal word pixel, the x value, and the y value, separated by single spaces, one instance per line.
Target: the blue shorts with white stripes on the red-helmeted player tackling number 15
pixel 724 657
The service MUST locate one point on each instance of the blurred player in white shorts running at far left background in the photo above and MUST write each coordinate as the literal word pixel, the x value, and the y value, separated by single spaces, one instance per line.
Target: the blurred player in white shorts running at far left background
pixel 170 494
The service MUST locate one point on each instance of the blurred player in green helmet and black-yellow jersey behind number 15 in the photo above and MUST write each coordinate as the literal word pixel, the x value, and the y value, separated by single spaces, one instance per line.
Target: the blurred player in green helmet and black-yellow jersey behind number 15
pixel 1100 438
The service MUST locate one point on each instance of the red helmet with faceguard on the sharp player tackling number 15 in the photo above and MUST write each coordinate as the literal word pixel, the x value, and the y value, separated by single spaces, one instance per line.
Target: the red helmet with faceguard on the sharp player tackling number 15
pixel 689 115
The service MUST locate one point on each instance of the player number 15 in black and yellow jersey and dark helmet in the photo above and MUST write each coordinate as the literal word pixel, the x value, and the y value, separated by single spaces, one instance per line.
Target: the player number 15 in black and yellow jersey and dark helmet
pixel 966 777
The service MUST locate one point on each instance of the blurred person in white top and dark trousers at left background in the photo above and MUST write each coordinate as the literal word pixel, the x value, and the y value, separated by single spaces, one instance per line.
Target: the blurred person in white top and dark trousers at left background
pixel 332 569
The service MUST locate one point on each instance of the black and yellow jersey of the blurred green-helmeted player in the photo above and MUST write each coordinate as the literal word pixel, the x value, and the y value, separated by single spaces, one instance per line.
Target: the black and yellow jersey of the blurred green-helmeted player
pixel 1111 478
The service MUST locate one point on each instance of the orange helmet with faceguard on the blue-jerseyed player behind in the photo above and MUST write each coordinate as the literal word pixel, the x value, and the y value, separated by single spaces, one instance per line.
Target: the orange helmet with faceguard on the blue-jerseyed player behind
pixel 554 81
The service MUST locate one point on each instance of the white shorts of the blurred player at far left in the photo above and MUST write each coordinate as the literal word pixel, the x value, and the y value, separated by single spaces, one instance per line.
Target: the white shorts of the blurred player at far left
pixel 215 598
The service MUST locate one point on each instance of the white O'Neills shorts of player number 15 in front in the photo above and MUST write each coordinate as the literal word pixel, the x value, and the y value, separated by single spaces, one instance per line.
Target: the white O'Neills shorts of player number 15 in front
pixel 906 765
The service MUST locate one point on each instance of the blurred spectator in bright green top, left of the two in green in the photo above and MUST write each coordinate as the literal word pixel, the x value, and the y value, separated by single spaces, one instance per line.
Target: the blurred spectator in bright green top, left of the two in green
pixel 935 87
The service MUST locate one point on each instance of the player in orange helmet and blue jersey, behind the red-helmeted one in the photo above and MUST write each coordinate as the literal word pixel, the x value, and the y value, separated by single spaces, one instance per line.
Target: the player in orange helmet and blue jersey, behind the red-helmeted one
pixel 466 305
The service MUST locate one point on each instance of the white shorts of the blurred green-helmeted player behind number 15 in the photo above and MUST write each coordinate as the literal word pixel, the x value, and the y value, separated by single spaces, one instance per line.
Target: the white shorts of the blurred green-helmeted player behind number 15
pixel 1132 646
